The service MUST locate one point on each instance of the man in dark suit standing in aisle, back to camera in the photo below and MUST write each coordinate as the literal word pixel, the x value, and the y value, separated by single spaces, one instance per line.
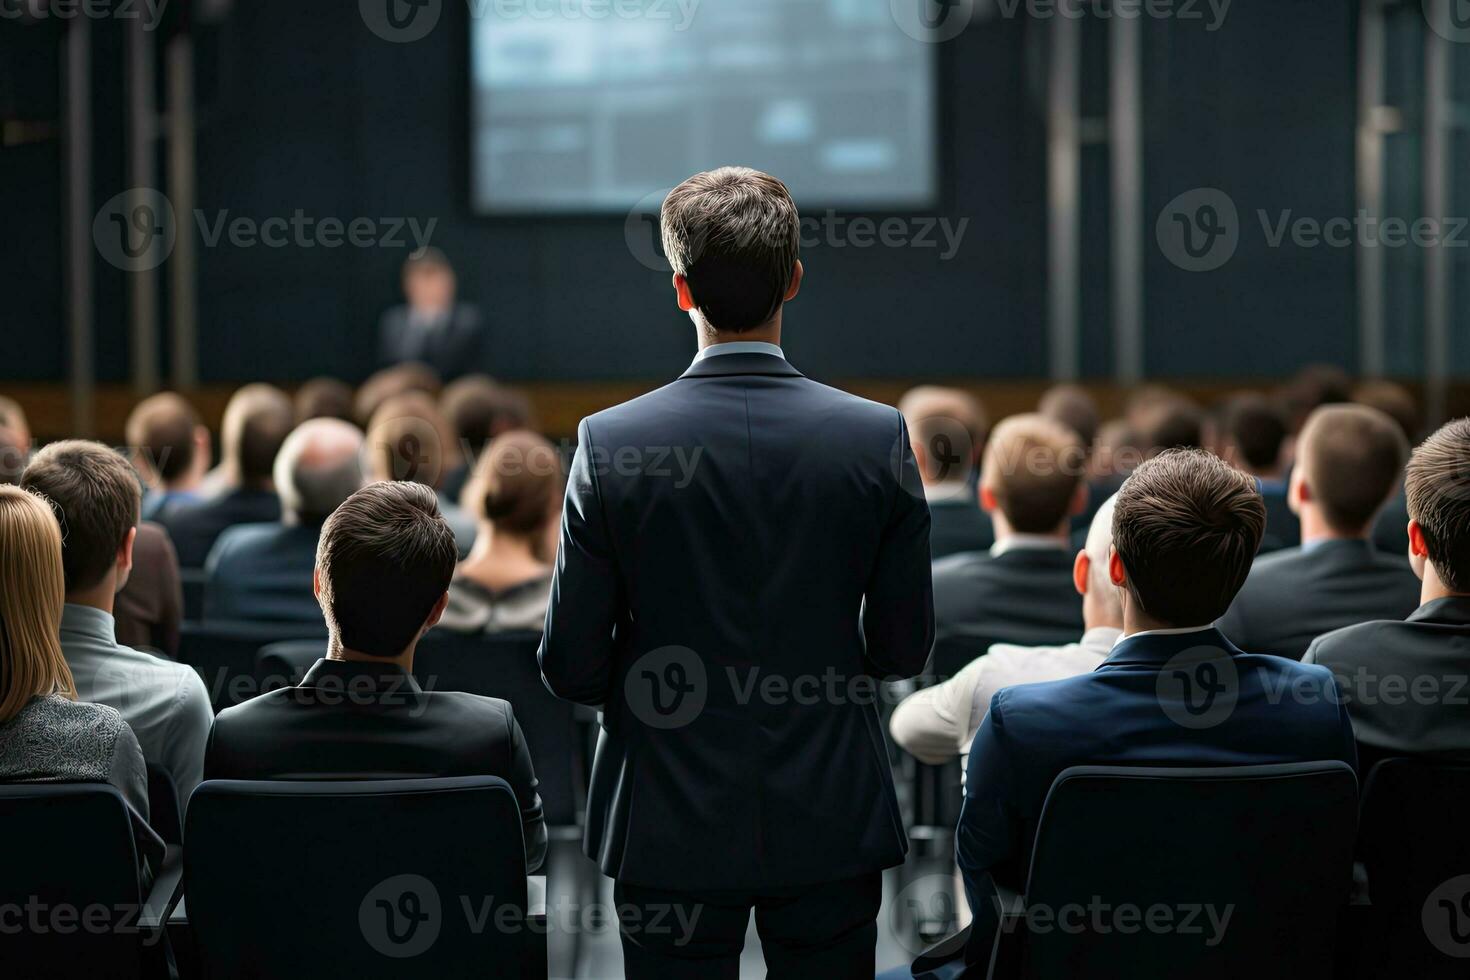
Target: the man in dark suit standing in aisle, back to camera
pixel 731 616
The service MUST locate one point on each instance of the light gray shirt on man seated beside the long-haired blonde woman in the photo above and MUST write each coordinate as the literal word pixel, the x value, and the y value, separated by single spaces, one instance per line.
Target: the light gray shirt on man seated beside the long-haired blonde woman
pixel 164 703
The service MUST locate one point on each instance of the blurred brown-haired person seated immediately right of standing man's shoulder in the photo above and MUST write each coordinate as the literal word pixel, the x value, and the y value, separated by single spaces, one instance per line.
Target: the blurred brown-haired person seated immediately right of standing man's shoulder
pixel 947 431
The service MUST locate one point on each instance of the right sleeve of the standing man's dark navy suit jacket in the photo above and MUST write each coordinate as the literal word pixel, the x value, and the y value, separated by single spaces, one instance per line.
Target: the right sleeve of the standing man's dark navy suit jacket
pixel 899 602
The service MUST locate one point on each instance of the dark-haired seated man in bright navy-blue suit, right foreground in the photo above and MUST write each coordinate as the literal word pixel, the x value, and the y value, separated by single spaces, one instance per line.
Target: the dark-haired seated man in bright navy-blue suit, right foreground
pixel 1186 527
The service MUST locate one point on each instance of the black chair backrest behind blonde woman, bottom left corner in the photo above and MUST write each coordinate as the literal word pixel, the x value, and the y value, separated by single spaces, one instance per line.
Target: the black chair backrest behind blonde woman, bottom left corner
pixel 71 872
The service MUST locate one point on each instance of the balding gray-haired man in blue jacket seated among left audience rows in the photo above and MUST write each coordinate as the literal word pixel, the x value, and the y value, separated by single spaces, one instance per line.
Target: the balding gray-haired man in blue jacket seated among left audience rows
pixel 264 572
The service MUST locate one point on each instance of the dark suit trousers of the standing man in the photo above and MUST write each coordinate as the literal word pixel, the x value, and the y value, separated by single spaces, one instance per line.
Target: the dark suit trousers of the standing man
pixel 824 931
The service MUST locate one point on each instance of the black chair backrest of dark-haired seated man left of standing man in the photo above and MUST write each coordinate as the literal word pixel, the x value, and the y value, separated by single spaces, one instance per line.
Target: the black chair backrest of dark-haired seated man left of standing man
pixel 356 879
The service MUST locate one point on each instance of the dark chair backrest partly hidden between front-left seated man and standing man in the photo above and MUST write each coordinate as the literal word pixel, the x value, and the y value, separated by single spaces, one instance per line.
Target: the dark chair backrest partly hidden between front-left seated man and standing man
pixel 505 666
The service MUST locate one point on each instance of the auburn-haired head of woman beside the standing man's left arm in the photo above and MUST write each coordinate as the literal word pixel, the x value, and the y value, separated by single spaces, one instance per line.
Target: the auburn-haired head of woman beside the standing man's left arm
pixel 517 484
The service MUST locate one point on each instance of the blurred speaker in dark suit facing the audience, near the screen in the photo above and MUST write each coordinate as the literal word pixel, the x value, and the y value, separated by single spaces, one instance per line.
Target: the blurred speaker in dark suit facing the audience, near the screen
pixel 431 327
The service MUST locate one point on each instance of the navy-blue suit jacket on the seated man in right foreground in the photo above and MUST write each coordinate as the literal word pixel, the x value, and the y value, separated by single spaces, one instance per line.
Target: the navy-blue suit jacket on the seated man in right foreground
pixel 1141 707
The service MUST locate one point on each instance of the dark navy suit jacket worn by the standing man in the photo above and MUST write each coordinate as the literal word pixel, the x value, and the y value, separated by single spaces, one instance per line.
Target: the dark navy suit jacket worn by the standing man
pixel 743 553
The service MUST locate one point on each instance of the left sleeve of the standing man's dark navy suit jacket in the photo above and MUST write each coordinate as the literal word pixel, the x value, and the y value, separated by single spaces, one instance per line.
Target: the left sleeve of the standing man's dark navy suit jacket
pixel 577 646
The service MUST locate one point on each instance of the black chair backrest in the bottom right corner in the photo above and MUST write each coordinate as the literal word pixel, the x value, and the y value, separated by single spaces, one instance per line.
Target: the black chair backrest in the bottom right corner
pixel 1415 844
